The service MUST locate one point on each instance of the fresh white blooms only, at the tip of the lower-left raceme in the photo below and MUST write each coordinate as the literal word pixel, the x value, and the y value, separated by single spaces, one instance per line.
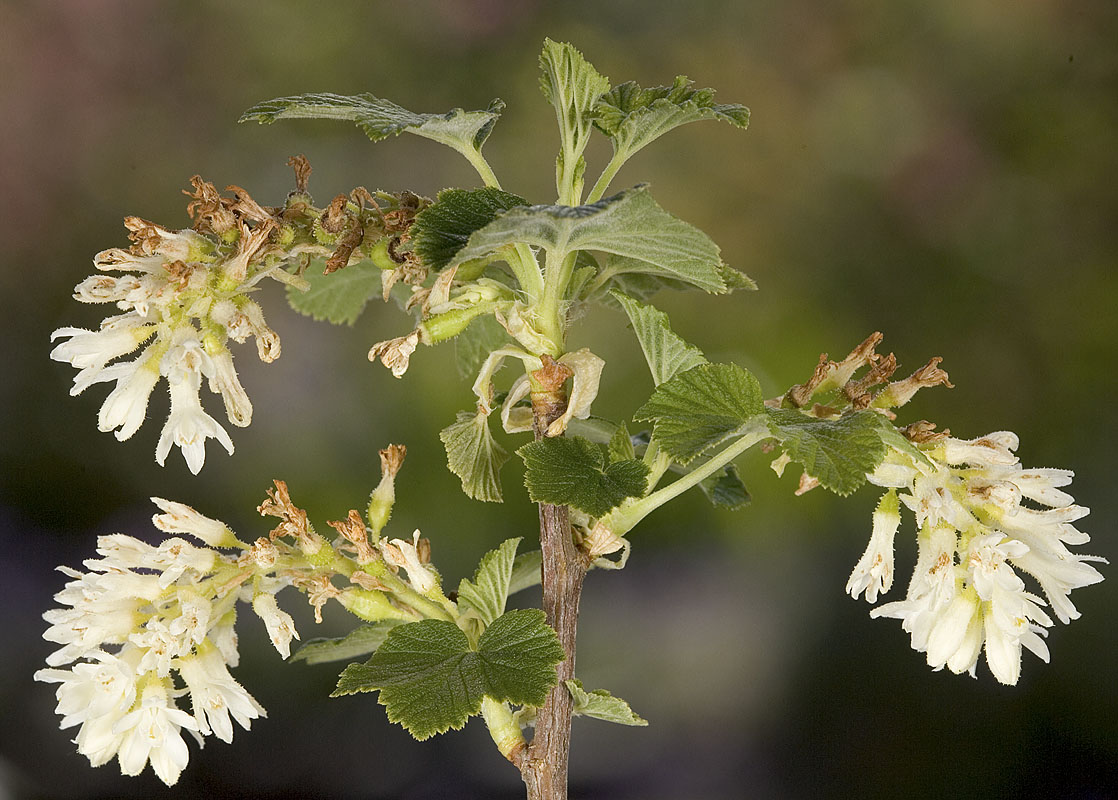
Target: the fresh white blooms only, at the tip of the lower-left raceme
pixel 149 625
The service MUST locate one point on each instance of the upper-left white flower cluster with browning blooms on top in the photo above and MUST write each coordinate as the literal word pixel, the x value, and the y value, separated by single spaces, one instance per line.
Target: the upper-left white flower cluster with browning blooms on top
pixel 185 297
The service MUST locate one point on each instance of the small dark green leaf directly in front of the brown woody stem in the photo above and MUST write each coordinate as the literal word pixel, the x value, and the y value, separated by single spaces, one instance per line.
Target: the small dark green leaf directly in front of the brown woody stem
pixel 574 472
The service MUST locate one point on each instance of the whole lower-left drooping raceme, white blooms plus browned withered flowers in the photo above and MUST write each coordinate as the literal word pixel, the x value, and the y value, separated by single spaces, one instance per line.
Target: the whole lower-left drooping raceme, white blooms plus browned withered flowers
pixel 147 626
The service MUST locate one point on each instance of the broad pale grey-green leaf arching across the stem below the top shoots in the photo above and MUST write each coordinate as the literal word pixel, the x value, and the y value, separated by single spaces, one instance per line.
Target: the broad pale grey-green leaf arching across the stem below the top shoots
pixel 630 224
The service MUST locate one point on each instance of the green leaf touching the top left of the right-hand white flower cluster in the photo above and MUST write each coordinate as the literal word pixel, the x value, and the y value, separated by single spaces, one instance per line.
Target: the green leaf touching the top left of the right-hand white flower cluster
pixel 837 452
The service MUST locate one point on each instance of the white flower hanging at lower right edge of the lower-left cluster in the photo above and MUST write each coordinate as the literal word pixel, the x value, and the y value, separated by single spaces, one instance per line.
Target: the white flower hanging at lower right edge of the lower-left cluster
pixel 216 696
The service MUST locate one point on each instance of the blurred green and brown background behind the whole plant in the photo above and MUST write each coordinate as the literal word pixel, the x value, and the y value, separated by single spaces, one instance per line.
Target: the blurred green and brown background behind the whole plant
pixel 943 173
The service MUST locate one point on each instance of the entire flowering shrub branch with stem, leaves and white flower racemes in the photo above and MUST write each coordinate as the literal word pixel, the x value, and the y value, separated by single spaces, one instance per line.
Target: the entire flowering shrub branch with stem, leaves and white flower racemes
pixel 149 626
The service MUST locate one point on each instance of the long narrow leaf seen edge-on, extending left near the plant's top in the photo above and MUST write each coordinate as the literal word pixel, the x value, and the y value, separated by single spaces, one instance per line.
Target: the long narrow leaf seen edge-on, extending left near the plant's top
pixel 381 119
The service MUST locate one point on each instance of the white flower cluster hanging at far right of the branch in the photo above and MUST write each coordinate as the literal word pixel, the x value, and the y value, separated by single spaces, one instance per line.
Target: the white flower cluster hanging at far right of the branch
pixel 975 535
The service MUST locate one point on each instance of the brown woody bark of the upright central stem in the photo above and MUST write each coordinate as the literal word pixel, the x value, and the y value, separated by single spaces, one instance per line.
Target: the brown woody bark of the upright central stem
pixel 544 765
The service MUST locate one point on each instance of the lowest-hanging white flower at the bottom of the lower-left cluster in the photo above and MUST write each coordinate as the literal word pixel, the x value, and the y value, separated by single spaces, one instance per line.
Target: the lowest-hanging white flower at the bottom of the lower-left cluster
pixel 153 734
